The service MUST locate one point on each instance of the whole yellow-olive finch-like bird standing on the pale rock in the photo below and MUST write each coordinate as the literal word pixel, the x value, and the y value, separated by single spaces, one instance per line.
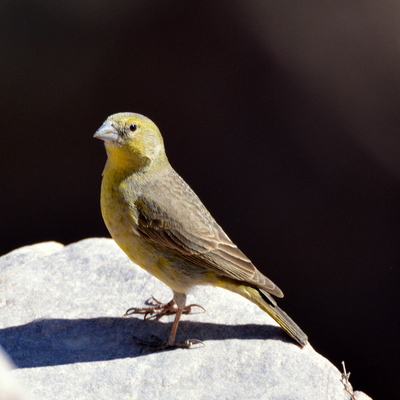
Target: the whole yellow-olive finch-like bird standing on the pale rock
pixel 162 225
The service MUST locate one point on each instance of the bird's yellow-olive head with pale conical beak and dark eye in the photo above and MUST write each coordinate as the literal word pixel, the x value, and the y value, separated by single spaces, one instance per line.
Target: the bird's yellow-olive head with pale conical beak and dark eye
pixel 132 141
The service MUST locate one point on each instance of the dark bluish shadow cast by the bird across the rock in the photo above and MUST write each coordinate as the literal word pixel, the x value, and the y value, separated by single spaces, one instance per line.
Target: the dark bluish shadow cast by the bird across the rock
pixel 50 342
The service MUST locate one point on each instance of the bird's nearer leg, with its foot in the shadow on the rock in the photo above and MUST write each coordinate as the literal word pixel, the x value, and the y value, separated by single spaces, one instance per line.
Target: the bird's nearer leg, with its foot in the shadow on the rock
pixel 178 303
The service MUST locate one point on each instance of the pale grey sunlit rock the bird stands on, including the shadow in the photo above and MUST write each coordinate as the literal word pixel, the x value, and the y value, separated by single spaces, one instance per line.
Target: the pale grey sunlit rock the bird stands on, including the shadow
pixel 62 324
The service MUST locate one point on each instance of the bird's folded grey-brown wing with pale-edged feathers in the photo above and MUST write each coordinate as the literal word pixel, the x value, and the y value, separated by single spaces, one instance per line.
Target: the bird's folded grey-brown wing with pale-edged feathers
pixel 189 231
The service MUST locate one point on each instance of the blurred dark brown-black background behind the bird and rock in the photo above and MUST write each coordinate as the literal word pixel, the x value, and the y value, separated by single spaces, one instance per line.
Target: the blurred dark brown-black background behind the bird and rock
pixel 284 118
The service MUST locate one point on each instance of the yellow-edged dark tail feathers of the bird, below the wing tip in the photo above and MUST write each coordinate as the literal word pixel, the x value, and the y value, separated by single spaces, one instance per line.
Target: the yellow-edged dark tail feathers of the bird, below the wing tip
pixel 266 302
